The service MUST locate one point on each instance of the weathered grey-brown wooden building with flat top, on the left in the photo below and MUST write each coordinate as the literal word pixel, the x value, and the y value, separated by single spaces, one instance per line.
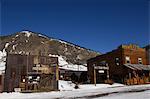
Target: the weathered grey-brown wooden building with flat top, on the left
pixel 31 72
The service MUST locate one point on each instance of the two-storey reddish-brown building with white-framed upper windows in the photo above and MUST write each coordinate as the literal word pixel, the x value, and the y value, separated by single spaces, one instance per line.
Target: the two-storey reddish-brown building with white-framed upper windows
pixel 126 62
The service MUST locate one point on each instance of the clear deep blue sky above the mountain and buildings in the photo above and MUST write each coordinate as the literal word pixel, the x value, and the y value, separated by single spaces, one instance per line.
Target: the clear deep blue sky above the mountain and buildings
pixel 100 25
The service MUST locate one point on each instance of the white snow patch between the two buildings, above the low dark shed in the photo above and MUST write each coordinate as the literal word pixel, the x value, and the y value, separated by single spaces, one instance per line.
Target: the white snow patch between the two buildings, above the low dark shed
pixel 63 64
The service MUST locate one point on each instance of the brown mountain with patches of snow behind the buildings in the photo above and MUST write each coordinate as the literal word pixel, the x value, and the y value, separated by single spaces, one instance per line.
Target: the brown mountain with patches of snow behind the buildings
pixel 70 55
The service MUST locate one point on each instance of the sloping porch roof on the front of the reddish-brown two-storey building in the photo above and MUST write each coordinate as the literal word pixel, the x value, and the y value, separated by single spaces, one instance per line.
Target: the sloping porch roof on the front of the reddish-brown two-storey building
pixel 138 66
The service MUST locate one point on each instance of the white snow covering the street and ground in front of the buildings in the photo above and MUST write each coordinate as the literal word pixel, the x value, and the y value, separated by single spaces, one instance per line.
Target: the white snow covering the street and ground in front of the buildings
pixel 86 90
